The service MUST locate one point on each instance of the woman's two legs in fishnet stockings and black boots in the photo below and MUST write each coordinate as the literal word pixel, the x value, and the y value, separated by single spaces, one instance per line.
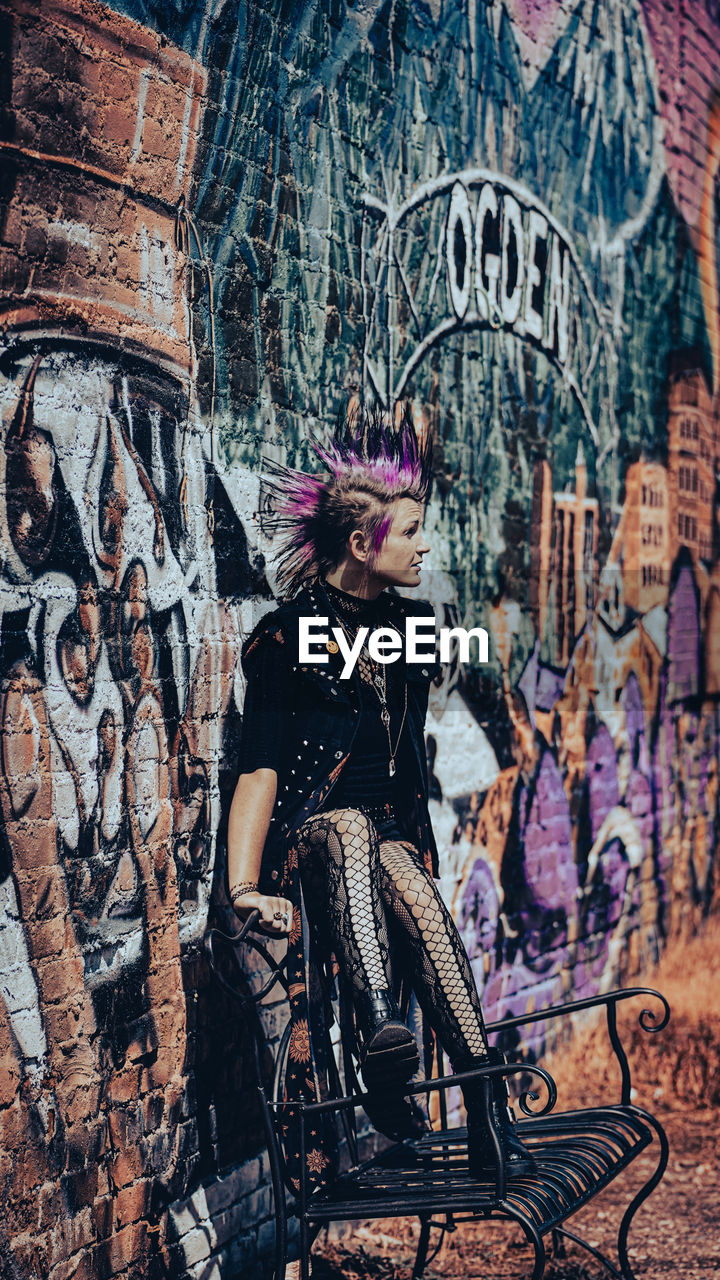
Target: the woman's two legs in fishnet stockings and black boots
pixel 350 880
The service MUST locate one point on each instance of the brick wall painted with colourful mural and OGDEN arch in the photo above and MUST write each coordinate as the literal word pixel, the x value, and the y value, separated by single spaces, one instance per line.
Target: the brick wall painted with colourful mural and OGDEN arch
pixel 220 220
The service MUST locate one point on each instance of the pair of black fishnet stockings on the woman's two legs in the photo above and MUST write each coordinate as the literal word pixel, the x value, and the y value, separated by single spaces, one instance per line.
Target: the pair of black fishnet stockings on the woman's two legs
pixel 353 886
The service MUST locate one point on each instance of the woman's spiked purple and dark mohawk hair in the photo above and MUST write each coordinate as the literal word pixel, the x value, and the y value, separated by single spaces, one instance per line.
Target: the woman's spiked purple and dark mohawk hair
pixel 371 463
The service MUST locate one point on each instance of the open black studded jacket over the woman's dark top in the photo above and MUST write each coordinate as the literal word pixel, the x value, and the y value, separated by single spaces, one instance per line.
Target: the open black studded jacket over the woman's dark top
pixel 320 719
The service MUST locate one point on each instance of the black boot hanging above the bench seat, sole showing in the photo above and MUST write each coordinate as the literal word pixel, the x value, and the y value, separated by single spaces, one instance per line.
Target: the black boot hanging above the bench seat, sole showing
pixel 389 1062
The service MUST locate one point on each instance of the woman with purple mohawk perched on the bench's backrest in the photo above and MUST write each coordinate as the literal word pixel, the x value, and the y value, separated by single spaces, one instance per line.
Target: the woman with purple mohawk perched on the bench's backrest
pixel 331 804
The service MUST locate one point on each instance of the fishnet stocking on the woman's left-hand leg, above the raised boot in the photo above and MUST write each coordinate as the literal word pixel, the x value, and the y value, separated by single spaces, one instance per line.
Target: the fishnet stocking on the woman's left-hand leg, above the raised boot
pixel 341 877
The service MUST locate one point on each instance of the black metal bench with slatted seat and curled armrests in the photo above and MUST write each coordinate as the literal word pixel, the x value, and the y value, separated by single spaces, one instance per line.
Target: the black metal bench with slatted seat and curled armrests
pixel 577 1153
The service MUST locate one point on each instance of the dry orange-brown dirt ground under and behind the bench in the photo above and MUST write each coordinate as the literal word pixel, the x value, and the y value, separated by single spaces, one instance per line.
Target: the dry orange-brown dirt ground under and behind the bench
pixel 677 1232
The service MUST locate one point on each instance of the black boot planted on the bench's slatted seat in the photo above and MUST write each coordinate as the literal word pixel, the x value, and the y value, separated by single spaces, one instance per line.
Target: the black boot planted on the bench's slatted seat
pixel 481 1150
